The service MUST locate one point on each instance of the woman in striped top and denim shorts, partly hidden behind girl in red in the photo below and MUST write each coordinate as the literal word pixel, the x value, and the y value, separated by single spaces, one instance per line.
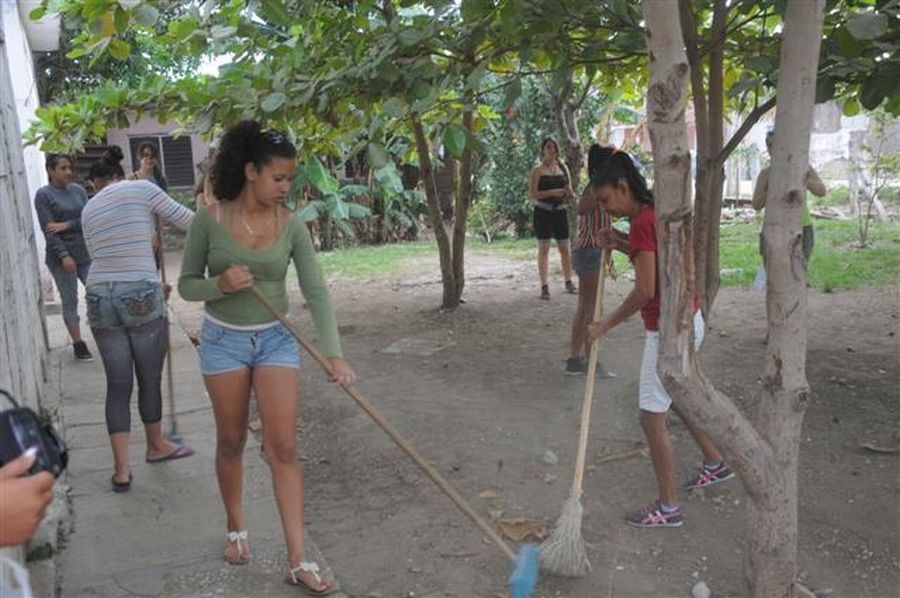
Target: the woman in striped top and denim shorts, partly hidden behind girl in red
pixel 586 258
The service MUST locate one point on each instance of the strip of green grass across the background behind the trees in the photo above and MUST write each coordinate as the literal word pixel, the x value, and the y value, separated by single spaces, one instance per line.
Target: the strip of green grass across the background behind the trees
pixel 836 263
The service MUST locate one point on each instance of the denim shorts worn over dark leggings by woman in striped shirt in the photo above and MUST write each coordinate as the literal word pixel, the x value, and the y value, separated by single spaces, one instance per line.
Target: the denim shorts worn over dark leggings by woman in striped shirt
pixel 124 304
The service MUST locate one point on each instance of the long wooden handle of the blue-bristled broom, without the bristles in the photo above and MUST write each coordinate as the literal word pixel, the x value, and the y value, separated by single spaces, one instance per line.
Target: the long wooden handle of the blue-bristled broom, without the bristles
pixel 367 406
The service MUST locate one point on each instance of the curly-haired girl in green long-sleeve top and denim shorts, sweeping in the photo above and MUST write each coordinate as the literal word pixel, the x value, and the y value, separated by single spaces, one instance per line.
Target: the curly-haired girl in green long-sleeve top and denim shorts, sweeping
pixel 248 237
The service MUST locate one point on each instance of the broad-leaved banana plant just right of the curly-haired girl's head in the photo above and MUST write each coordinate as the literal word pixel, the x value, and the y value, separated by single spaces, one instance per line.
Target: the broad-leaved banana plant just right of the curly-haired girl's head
pixel 333 205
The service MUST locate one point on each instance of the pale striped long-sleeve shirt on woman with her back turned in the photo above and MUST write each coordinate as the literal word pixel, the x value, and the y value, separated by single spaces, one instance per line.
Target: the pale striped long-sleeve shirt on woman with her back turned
pixel 118 225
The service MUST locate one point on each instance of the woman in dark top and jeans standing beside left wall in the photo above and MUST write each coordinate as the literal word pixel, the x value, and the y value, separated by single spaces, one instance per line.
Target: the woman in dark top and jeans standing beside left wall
pixel 59 206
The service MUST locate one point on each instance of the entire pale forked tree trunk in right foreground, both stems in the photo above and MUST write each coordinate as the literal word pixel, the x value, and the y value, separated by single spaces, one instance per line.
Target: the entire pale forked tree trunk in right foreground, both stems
pixel 765 455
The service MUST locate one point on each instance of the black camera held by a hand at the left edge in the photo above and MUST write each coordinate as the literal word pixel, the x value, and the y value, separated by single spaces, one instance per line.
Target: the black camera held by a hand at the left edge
pixel 21 429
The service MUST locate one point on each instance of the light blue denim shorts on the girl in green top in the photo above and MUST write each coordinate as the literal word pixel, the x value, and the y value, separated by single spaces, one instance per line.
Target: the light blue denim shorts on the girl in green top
pixel 226 349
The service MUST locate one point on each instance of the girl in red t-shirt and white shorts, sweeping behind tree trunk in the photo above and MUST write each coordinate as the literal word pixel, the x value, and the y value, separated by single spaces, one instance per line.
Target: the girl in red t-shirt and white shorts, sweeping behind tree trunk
pixel 623 192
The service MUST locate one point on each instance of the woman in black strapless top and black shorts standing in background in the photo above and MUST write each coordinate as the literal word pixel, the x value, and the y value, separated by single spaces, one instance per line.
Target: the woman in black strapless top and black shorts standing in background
pixel 550 190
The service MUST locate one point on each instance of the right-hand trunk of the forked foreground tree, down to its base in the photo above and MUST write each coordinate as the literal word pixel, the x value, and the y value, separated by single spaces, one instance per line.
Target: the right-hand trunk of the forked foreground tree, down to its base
pixel 773 559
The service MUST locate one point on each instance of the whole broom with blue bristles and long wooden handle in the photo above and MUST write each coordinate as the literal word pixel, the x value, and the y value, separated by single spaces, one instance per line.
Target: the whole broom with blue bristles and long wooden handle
pixel 524 564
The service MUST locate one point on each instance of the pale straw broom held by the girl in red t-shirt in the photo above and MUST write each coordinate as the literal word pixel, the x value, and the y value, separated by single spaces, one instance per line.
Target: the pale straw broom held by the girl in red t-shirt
pixel 563 552
